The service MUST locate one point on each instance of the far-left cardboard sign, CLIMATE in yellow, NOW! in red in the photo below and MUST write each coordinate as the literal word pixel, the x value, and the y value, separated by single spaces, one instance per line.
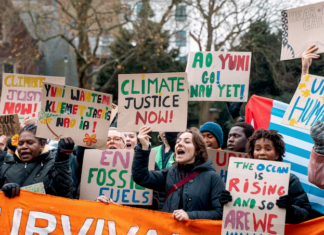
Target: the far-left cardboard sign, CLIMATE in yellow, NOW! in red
pixel 22 94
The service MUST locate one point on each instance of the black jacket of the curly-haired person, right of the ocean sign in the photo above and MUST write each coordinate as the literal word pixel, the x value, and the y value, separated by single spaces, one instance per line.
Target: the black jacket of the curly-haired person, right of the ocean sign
pixel 301 208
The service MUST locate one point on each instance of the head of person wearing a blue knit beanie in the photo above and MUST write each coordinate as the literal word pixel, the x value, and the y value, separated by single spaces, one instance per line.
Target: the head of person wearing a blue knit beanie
pixel 213 135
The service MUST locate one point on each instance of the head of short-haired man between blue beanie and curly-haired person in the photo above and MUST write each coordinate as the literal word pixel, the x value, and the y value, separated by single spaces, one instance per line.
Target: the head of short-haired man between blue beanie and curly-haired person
pixel 238 136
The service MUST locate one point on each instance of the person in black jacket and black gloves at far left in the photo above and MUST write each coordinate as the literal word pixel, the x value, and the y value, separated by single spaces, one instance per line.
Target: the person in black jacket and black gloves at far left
pixel 32 166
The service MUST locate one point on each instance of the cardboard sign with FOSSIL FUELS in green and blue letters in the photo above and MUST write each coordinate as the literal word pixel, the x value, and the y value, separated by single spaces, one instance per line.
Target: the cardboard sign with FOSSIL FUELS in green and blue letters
pixel 109 173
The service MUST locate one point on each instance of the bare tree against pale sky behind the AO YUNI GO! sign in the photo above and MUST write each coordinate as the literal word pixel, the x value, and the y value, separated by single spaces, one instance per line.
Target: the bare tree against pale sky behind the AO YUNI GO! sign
pixel 219 23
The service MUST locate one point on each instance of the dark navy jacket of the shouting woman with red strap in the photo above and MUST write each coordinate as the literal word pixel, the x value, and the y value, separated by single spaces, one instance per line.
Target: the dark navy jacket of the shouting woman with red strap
pixel 201 195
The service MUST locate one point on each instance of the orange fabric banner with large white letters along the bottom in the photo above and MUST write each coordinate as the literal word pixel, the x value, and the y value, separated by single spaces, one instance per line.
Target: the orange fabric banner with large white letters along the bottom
pixel 32 213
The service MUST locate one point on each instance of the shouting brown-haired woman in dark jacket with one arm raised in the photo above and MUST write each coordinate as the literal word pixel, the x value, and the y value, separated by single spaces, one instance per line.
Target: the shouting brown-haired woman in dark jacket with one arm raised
pixel 199 198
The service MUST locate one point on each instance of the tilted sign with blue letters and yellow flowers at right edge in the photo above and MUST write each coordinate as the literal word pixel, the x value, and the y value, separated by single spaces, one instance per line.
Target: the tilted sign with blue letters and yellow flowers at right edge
pixel 306 106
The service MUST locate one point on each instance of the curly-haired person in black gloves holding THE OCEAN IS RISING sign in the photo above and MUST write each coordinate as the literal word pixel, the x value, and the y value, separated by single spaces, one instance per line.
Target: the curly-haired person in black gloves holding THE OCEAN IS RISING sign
pixel 268 145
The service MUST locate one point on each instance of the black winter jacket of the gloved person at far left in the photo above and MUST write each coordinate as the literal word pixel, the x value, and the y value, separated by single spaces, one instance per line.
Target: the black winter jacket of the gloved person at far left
pixel 55 175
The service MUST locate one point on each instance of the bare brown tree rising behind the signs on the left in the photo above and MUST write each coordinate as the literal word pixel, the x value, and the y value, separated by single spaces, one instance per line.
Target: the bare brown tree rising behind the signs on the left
pixel 83 24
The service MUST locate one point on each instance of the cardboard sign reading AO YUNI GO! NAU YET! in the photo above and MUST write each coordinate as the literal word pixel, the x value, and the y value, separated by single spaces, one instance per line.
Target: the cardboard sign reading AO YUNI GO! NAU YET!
pixel 219 76
